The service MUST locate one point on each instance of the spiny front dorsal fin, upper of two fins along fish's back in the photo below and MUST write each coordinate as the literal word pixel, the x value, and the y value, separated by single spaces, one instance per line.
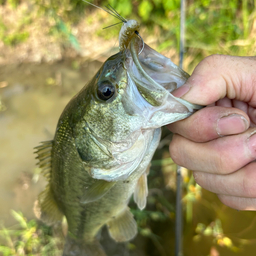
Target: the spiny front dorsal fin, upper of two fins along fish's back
pixel 44 155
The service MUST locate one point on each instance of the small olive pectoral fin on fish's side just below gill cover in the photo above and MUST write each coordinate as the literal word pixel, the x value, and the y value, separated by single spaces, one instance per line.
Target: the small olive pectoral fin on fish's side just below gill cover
pixel 96 191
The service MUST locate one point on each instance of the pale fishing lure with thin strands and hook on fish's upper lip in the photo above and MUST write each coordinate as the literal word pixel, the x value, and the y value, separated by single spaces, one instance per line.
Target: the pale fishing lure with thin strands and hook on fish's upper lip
pixel 129 29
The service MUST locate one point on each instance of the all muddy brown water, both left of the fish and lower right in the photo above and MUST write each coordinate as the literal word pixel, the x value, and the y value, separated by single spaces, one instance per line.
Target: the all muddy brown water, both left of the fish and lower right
pixel 34 97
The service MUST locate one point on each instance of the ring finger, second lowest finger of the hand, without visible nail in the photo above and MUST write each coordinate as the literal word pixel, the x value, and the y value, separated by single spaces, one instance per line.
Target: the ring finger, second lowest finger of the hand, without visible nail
pixel 241 183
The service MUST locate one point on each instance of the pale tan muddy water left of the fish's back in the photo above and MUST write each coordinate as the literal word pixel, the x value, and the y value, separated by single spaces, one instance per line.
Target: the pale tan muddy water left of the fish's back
pixel 34 97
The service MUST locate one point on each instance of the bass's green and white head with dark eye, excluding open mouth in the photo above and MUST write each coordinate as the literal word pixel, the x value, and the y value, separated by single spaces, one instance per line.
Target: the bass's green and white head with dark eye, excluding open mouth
pixel 106 124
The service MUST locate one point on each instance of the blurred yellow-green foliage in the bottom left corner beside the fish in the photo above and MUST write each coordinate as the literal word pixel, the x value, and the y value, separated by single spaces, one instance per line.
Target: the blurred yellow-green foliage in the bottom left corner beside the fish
pixel 28 238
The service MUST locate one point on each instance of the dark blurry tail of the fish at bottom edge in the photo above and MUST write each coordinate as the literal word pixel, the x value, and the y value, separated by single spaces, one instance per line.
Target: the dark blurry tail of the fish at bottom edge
pixel 75 247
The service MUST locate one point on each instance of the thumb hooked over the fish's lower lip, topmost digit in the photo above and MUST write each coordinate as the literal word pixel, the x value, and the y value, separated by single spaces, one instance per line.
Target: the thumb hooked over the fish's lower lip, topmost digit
pixel 219 76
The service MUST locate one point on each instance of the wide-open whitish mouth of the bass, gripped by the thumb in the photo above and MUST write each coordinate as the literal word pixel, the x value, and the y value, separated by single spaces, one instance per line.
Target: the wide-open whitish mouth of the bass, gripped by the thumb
pixel 155 77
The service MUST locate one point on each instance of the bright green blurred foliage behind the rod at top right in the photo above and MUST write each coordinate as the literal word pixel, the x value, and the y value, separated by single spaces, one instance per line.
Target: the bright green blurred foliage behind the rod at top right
pixel 217 26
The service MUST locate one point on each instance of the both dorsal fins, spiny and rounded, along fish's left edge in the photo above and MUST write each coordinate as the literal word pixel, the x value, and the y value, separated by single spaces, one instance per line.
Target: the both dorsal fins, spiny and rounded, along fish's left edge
pixel 45 208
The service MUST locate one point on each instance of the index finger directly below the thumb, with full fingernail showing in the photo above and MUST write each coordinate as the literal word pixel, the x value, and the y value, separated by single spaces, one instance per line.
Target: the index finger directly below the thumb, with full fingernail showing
pixel 211 123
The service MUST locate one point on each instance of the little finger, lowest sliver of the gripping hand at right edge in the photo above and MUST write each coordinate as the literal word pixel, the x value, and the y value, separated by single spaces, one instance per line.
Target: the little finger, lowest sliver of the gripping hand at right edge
pixel 239 203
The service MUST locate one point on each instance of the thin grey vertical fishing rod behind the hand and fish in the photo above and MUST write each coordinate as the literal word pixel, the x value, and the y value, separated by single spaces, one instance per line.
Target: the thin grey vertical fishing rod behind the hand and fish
pixel 179 181
